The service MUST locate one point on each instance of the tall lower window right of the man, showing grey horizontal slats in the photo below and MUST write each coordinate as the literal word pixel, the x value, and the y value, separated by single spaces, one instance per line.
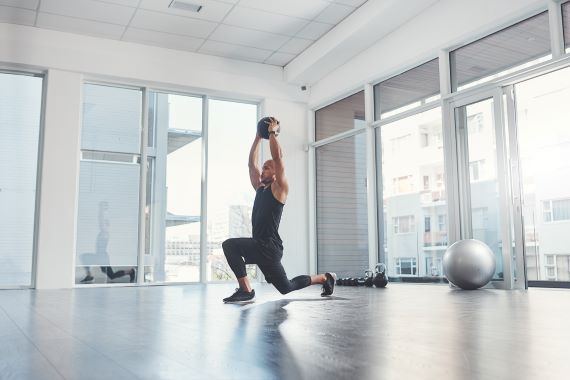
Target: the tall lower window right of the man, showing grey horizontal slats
pixel 342 224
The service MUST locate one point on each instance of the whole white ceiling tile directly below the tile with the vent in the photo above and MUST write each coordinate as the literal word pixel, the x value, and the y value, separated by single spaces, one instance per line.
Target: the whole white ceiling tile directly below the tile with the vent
pixel 172 24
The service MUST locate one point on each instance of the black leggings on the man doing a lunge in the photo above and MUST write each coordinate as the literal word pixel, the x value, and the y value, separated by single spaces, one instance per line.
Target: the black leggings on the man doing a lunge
pixel 241 251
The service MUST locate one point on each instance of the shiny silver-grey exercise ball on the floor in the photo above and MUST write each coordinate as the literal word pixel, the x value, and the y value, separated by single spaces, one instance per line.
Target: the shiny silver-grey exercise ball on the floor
pixel 469 264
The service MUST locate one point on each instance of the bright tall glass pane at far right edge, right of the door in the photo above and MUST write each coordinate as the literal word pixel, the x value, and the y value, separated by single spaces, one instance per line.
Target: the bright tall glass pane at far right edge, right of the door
pixel 544 142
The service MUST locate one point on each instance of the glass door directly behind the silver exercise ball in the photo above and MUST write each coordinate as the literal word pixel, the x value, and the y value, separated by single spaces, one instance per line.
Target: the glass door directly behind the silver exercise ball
pixel 483 210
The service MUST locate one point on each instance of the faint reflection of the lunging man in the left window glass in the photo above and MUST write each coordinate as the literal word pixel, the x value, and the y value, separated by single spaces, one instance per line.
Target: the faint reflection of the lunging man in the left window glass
pixel 101 256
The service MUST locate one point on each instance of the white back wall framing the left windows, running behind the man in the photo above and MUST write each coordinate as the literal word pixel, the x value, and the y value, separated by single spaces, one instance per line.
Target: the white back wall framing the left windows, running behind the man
pixel 70 59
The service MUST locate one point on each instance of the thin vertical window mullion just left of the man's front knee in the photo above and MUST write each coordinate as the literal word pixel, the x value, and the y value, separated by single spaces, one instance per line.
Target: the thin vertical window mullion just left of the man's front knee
pixel 204 193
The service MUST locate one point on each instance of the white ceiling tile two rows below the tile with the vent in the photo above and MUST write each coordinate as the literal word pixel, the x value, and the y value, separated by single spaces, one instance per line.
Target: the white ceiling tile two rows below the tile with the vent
pixel 166 40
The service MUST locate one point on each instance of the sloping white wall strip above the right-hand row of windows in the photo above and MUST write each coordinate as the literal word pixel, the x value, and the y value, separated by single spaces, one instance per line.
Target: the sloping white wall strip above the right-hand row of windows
pixel 447 24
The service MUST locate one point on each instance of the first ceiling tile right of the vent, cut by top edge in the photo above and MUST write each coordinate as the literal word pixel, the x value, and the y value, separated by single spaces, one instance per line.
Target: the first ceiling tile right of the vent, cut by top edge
pixel 296 8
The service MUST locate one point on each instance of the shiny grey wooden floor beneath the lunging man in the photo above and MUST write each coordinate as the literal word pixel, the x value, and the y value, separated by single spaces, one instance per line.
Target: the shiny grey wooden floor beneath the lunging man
pixel 185 332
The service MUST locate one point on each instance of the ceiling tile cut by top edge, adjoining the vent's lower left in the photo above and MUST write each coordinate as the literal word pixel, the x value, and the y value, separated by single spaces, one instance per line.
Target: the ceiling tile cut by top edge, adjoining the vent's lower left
pixel 89 10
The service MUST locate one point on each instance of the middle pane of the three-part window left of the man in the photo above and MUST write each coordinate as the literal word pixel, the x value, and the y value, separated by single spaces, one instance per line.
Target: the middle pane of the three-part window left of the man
pixel 174 174
